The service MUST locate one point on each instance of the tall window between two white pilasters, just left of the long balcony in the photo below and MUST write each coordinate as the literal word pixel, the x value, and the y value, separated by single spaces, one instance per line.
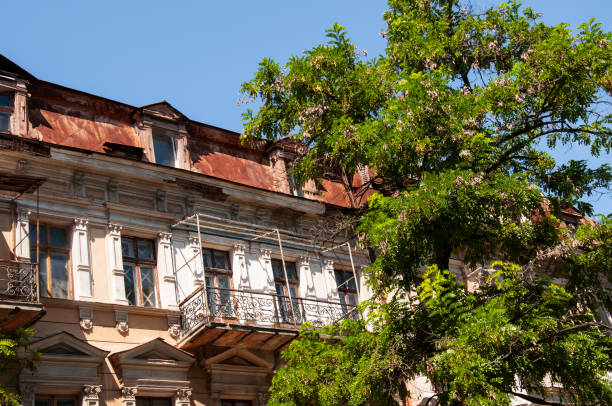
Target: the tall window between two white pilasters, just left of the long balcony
pixel 139 269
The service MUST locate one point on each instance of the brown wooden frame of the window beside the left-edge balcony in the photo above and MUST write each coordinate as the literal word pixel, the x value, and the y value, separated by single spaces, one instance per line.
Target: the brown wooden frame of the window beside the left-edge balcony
pixel 48 249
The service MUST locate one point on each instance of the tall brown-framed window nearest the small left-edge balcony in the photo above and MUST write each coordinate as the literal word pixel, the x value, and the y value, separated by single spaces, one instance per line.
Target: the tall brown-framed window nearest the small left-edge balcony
pixel 53 260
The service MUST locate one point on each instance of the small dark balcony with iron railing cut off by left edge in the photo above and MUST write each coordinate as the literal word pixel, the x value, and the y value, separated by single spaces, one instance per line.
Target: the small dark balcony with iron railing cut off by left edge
pixel 19 304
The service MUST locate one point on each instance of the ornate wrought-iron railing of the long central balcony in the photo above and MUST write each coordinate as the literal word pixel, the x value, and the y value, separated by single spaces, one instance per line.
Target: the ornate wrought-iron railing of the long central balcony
pixel 259 309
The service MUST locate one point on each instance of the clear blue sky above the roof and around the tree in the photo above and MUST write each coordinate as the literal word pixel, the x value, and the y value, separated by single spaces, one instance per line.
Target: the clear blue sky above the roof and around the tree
pixel 195 54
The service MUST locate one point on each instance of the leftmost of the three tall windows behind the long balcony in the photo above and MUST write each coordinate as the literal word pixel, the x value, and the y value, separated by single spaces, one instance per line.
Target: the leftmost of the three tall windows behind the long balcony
pixel 218 282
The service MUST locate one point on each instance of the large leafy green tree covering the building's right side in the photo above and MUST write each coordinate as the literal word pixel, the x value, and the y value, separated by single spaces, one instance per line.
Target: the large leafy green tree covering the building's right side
pixel 452 119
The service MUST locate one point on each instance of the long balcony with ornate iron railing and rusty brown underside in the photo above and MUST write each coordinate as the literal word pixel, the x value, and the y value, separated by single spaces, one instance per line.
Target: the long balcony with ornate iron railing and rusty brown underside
pixel 226 317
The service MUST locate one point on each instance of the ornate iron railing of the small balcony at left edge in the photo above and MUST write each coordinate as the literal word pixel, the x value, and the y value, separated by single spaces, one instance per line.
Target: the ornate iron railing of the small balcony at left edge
pixel 18 281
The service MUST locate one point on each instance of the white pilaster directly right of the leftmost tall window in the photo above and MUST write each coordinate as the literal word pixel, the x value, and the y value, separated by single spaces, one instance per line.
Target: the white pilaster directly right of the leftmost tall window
pixel 81 262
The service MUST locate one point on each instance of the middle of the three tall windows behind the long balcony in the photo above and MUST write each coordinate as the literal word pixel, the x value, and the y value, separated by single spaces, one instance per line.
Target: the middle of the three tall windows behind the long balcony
pixel 285 308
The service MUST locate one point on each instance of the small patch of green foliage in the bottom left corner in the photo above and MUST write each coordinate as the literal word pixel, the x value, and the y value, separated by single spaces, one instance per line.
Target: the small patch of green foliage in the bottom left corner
pixel 14 356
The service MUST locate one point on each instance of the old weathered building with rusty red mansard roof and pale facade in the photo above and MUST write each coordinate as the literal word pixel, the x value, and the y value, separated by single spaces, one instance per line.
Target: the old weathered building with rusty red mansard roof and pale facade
pixel 159 260
